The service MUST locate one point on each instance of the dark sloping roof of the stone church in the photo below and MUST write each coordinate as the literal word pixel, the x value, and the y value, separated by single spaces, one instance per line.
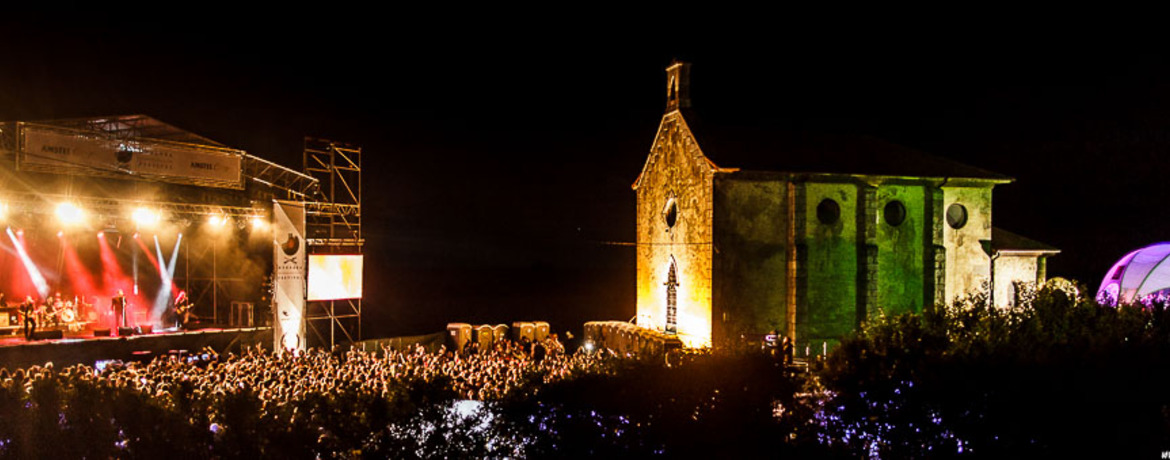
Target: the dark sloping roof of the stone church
pixel 783 149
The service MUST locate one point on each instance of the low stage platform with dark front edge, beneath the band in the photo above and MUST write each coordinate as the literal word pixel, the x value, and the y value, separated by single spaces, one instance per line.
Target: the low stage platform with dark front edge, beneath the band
pixel 85 348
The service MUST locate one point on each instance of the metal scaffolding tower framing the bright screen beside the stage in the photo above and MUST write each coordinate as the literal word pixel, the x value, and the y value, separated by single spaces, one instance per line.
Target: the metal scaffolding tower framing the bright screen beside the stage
pixel 334 226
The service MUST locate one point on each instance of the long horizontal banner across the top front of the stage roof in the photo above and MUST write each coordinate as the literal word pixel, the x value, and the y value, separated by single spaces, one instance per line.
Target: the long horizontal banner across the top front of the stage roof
pixel 65 152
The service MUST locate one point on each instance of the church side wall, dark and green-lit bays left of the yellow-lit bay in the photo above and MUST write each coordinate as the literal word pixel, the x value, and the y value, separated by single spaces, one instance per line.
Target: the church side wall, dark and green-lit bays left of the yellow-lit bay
pixel 846 270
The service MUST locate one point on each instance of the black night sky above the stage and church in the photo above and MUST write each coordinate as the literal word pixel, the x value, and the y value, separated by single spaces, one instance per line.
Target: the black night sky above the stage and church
pixel 499 159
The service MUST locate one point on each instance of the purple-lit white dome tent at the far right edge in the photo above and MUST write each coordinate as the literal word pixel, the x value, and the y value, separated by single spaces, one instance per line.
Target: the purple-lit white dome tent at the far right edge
pixel 1138 276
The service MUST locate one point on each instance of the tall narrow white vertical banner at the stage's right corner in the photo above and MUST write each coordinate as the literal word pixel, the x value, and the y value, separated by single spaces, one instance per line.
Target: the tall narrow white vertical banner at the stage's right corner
pixel 288 276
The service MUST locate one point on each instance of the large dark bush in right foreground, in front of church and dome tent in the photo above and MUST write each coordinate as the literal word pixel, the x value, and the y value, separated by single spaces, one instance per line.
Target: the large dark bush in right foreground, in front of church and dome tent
pixel 1058 375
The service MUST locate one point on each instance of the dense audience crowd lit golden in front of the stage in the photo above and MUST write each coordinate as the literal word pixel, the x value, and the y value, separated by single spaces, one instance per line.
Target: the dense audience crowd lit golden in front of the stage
pixel 284 377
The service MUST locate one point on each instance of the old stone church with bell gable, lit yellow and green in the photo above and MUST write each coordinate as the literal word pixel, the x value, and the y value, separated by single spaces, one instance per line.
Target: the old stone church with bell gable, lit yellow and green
pixel 742 231
